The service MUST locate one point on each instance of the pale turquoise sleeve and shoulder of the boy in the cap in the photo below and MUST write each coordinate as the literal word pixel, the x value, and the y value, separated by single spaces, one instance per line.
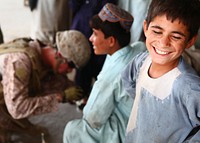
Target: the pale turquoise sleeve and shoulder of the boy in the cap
pixel 102 100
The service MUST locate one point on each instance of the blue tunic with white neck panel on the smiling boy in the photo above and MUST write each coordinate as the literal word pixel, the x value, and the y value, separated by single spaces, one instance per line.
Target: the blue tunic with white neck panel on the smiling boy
pixel 165 109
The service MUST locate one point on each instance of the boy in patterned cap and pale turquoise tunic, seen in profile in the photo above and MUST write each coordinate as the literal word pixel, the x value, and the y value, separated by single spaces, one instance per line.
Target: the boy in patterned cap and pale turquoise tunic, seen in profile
pixel 106 113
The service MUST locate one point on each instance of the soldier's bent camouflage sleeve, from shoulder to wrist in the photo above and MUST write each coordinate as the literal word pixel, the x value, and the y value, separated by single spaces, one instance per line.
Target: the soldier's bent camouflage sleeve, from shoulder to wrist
pixel 16 73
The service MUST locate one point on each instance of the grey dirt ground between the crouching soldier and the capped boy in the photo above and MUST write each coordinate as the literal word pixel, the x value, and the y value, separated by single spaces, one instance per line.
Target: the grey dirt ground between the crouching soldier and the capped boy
pixel 53 122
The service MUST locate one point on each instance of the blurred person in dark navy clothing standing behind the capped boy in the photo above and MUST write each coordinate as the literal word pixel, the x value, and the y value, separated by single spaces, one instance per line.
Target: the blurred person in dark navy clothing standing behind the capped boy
pixel 83 10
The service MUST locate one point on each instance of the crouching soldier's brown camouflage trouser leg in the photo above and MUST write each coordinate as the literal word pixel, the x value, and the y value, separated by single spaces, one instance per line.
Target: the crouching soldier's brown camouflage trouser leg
pixel 8 126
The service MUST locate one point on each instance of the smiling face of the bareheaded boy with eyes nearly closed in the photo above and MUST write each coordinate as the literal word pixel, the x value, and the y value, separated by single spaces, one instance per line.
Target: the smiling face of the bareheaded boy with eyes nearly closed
pixel 166 40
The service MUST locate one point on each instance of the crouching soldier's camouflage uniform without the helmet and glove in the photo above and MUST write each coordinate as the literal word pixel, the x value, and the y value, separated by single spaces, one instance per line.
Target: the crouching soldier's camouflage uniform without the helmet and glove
pixel 27 86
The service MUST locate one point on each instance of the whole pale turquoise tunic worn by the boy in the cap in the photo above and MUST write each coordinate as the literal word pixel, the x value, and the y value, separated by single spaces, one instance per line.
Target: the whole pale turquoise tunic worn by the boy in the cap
pixel 106 113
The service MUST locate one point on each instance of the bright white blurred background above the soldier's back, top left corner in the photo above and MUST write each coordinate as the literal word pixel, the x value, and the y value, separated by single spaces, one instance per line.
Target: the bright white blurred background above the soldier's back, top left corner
pixel 15 19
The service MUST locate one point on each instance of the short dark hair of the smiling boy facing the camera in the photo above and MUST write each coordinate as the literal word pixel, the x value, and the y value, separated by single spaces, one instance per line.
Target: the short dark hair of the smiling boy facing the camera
pixel 187 11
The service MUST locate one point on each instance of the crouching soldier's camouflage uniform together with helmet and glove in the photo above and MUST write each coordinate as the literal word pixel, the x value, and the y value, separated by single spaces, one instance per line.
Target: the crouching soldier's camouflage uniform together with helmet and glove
pixel 28 87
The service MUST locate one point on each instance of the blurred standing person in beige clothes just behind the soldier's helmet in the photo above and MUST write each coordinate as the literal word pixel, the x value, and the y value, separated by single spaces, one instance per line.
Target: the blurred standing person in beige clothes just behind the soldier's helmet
pixel 49 17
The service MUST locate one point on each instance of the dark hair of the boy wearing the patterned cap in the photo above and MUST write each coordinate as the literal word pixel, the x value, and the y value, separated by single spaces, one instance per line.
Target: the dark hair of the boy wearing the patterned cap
pixel 111 29
